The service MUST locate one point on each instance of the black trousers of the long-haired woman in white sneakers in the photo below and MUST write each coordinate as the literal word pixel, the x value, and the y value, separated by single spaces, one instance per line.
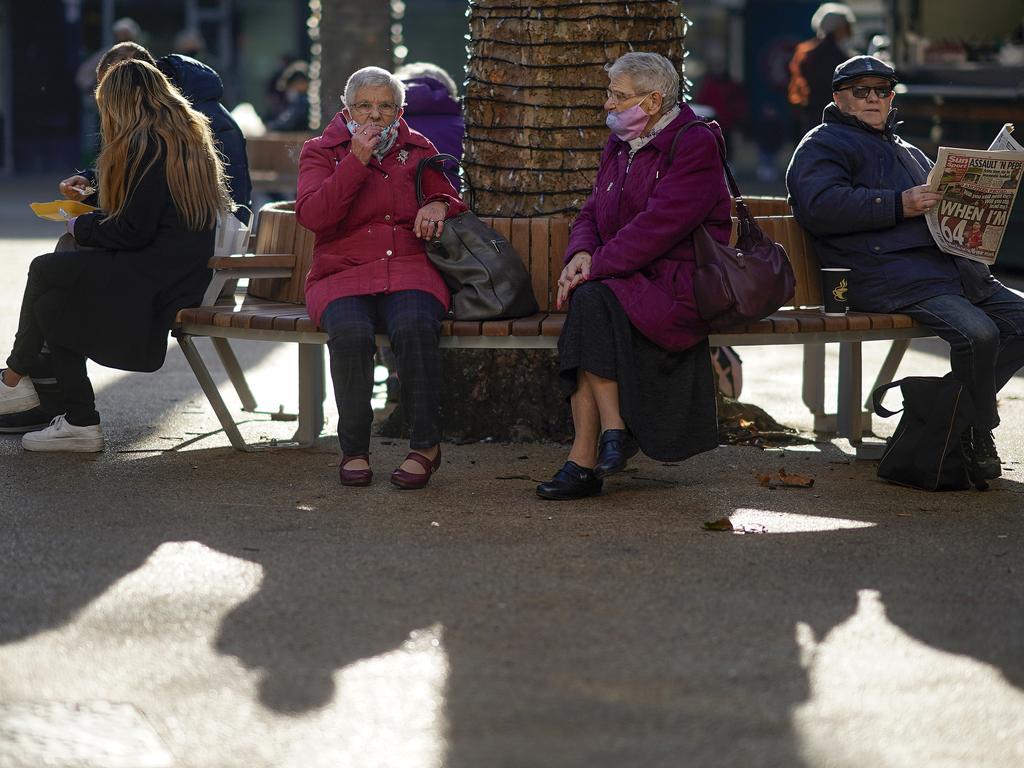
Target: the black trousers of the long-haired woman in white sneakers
pixel 53 278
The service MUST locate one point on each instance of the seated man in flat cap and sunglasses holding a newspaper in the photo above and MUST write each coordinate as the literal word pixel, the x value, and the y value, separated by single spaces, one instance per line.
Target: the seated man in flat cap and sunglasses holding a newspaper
pixel 861 191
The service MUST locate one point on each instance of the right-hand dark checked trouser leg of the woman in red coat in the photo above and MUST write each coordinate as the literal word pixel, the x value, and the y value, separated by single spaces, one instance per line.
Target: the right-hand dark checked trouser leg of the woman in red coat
pixel 414 326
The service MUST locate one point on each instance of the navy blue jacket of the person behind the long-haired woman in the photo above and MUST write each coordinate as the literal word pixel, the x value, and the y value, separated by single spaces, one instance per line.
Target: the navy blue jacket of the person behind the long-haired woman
pixel 204 90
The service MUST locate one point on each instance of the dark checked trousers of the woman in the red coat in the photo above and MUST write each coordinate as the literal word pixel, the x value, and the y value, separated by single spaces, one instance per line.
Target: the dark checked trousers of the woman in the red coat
pixel 413 323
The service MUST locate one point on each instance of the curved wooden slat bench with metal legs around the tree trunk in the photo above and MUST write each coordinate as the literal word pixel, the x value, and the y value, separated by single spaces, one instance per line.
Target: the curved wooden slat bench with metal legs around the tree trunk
pixel 272 310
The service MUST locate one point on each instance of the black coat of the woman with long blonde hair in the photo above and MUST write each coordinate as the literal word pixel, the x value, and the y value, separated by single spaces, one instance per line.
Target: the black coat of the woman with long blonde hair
pixel 148 268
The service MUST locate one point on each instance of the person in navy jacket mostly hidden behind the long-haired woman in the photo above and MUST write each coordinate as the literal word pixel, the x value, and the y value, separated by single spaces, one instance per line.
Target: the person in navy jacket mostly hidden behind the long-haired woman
pixel 203 88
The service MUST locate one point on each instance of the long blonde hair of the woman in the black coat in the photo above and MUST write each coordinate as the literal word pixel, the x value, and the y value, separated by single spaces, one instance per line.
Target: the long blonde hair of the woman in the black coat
pixel 142 115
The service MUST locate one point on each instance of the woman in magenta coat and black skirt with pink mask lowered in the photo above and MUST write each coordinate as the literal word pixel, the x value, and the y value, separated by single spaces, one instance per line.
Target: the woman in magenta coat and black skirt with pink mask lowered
pixel 633 353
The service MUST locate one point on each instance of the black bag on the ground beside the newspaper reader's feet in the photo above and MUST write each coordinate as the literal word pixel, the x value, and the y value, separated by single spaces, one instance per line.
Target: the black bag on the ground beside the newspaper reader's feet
pixel 927 451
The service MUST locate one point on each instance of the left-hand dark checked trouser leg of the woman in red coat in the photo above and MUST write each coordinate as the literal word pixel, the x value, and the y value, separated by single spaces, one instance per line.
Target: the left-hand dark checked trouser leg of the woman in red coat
pixel 350 324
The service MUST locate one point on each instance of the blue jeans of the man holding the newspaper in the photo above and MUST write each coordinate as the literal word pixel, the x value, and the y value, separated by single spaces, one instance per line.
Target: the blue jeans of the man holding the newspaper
pixel 987 344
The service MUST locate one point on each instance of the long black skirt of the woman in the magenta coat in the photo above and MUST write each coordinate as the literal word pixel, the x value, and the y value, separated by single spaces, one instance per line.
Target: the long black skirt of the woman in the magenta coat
pixel 667 399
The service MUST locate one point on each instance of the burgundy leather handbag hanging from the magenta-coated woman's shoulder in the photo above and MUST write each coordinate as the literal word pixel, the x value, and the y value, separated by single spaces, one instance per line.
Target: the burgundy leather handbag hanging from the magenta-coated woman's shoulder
pixel 734 286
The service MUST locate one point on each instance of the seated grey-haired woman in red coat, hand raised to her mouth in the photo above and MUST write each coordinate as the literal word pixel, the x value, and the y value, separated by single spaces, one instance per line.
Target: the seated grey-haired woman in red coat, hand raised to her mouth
pixel 357 192
